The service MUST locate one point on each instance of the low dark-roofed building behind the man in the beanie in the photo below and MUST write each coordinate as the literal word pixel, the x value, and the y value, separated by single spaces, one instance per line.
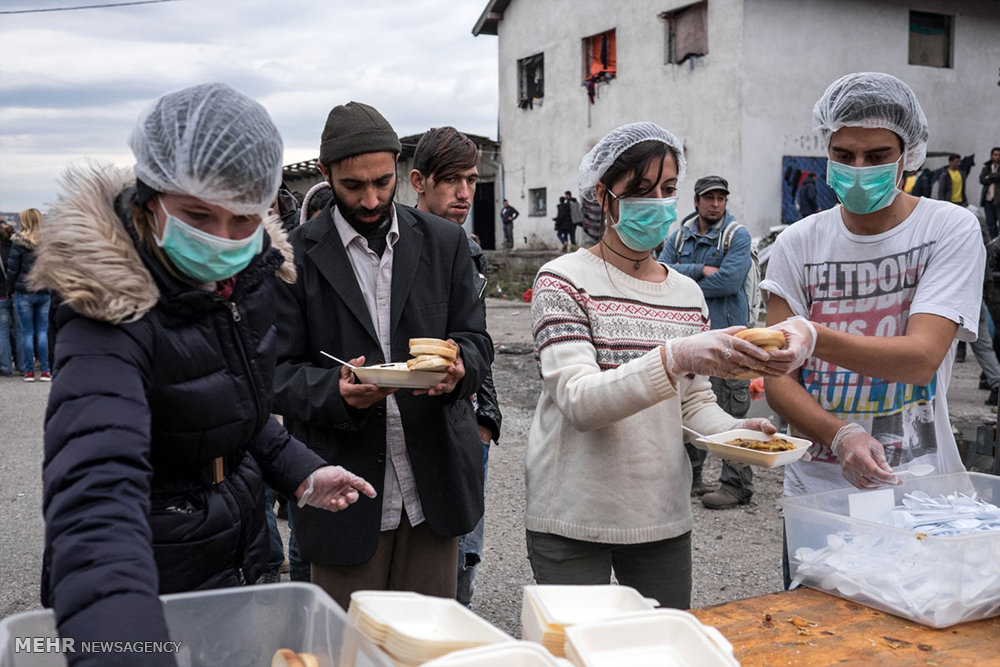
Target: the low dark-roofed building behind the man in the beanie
pixel 483 219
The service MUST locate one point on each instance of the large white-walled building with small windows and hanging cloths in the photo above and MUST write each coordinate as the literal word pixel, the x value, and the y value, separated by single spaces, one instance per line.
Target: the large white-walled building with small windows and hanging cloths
pixel 736 80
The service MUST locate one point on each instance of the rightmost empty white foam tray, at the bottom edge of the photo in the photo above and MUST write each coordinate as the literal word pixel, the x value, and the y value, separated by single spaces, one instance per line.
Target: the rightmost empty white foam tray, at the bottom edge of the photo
pixel 655 638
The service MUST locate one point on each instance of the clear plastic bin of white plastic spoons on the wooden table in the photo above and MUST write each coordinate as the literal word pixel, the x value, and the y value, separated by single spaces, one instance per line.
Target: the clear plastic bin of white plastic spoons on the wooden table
pixel 934 580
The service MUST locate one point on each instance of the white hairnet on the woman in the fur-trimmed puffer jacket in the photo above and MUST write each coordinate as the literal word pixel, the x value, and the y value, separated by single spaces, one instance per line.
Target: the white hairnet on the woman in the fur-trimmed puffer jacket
pixel 211 142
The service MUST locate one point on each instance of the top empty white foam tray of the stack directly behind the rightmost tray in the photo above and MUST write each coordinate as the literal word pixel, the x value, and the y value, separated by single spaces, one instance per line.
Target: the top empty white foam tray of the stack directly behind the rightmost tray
pixel 568 605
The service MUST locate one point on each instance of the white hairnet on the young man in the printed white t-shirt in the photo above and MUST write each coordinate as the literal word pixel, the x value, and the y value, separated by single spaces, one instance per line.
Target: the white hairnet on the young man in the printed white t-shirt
pixel 876 100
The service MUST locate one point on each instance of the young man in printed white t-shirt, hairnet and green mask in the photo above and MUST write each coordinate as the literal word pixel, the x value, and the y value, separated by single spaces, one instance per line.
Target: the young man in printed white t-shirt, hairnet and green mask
pixel 882 285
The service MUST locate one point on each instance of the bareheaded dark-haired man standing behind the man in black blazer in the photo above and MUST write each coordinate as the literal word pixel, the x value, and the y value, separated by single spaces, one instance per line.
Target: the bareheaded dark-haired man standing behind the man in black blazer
pixel 444 177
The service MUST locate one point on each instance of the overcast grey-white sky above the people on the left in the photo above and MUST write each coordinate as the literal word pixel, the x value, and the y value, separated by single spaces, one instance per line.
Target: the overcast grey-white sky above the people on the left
pixel 72 83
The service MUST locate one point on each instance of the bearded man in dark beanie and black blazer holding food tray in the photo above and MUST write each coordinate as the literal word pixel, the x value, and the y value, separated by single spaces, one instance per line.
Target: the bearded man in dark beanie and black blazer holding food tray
pixel 371 275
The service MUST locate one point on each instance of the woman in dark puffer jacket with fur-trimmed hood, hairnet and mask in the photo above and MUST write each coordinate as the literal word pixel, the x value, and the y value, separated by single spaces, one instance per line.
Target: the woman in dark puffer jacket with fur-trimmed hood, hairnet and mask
pixel 158 433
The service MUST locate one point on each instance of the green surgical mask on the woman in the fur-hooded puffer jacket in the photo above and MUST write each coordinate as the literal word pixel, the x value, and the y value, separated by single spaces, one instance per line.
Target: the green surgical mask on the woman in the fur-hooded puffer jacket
pixel 203 256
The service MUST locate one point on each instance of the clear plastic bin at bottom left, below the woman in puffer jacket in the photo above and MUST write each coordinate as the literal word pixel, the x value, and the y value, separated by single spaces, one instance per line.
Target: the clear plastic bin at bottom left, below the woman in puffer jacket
pixel 231 627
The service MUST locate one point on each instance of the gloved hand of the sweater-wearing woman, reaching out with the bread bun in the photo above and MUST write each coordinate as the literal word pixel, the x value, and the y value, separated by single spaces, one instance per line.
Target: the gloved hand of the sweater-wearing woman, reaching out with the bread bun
pixel 717 353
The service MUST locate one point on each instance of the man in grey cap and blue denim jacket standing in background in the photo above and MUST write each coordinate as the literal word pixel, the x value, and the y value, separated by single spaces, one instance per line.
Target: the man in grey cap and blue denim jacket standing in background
pixel 705 250
